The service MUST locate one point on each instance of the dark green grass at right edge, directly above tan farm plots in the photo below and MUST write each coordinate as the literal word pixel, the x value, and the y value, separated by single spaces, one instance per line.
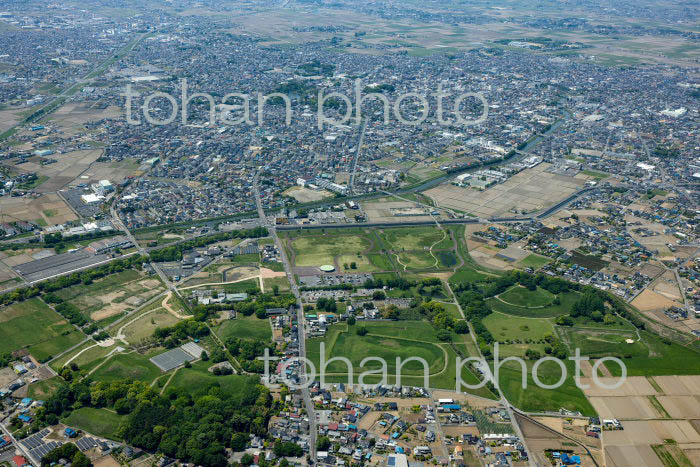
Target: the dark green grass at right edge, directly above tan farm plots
pixel 663 359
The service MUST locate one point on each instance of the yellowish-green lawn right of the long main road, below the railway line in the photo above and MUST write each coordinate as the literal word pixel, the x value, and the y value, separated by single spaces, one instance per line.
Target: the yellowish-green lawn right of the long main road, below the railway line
pixel 317 250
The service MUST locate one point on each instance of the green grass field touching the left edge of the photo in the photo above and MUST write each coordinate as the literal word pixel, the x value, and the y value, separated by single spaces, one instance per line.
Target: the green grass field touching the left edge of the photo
pixel 32 324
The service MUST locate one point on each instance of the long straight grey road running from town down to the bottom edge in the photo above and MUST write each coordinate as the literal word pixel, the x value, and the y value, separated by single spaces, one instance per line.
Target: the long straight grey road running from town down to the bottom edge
pixel 306 394
